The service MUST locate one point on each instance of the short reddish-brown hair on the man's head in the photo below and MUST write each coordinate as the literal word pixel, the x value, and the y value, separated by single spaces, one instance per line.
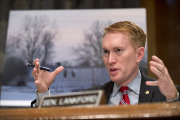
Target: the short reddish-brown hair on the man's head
pixel 136 34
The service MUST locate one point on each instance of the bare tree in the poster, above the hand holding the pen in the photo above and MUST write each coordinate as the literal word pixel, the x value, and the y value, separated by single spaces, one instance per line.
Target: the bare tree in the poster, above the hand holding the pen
pixel 35 40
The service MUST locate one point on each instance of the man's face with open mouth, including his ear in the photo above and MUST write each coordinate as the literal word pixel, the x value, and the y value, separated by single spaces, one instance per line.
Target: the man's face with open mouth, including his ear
pixel 120 57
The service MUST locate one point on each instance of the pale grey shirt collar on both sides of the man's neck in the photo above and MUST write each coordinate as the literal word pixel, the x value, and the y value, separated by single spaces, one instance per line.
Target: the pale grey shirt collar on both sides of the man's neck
pixel 133 86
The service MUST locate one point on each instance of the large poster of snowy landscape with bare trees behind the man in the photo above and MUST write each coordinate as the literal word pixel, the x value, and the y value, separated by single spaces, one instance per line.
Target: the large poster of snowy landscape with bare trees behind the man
pixel 71 38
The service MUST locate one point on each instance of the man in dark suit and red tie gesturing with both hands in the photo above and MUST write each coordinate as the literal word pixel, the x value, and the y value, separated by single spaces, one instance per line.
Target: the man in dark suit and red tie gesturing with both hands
pixel 123 49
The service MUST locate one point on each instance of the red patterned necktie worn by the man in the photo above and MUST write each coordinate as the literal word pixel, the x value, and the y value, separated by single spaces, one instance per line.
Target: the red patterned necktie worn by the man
pixel 125 97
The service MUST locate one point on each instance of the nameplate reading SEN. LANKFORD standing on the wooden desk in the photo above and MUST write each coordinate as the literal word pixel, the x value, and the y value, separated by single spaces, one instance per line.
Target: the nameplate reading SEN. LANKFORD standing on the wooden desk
pixel 86 98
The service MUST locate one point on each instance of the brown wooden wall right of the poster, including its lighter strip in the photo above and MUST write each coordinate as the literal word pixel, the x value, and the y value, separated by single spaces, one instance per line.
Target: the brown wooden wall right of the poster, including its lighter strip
pixel 163 28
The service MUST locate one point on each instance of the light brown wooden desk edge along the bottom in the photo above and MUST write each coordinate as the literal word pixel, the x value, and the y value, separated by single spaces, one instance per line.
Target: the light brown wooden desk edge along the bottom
pixel 141 111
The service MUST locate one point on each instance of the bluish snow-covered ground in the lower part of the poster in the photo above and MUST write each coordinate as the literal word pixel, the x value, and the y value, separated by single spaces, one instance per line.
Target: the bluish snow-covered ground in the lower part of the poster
pixel 67 81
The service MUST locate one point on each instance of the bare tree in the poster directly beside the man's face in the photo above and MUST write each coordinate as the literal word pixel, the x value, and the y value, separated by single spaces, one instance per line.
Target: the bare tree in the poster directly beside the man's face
pixel 90 52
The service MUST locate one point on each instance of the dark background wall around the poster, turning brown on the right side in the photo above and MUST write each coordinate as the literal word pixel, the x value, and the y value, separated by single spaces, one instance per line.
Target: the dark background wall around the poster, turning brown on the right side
pixel 163 26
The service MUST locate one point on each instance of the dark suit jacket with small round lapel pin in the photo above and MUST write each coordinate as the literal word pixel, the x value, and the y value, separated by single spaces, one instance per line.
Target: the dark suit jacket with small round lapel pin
pixel 147 93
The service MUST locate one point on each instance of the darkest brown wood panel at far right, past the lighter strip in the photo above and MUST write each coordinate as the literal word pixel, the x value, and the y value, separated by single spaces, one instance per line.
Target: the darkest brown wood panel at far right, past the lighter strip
pixel 168 30
